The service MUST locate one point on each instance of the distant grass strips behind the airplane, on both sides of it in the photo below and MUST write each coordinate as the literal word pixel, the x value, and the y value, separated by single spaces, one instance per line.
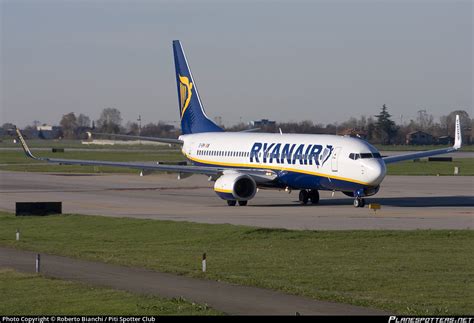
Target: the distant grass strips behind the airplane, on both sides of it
pixel 17 161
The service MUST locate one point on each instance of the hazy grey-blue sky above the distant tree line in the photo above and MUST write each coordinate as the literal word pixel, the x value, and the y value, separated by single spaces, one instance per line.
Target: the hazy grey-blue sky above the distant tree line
pixel 323 61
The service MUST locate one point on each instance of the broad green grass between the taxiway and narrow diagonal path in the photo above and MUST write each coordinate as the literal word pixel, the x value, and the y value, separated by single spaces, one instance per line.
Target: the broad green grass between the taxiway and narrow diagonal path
pixel 405 272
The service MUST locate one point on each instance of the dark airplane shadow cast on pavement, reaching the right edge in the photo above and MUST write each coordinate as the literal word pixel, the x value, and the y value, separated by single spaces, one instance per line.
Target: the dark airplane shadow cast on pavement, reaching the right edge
pixel 424 201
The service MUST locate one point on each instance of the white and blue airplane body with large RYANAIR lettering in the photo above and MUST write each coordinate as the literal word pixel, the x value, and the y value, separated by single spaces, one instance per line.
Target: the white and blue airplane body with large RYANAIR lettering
pixel 324 162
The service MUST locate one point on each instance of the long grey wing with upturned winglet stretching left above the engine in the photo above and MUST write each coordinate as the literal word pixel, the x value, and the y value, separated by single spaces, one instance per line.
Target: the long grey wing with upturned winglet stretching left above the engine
pixel 260 175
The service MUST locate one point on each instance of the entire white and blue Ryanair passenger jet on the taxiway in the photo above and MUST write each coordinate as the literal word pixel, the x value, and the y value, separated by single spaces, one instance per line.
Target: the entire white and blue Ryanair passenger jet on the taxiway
pixel 242 162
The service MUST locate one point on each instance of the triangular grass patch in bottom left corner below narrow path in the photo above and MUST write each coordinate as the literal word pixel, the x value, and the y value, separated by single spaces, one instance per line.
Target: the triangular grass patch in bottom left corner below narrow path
pixel 27 294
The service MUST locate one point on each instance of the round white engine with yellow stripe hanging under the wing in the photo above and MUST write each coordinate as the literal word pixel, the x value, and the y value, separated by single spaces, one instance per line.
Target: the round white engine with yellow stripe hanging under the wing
pixel 235 186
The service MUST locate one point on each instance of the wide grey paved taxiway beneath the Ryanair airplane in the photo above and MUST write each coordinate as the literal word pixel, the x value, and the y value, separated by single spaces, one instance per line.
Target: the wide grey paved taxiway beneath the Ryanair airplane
pixel 408 202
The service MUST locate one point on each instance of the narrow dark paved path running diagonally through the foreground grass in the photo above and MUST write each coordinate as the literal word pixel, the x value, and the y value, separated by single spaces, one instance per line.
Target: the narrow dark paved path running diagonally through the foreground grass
pixel 224 297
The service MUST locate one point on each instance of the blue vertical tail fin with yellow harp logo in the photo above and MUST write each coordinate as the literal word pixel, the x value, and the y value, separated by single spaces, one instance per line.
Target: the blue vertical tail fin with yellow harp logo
pixel 191 111
